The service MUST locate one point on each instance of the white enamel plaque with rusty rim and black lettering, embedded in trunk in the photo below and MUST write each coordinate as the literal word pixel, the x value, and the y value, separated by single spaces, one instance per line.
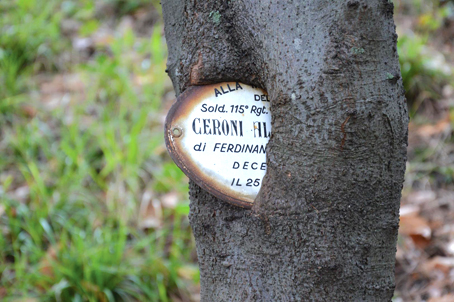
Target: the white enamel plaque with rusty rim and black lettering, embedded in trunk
pixel 217 134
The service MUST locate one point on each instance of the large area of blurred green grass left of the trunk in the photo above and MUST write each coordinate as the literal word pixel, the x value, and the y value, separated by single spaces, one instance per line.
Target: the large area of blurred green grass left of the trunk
pixel 74 176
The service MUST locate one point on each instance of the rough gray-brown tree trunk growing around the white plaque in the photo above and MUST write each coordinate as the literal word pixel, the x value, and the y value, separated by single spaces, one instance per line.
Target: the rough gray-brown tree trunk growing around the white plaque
pixel 324 226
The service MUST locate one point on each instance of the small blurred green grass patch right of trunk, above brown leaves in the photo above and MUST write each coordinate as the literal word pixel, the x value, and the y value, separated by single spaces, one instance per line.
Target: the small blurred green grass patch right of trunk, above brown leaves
pixel 424 68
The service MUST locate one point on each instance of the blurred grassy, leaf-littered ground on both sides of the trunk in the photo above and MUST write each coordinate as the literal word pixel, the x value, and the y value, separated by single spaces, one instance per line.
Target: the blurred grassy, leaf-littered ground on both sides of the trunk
pixel 93 209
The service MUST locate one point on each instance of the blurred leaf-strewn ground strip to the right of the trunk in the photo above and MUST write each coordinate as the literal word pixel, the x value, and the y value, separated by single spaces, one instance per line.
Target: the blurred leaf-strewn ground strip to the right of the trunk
pixel 425 252
